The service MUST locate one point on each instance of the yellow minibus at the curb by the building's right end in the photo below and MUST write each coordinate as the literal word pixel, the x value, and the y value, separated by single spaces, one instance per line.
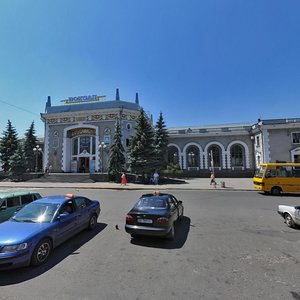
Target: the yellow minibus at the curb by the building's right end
pixel 277 178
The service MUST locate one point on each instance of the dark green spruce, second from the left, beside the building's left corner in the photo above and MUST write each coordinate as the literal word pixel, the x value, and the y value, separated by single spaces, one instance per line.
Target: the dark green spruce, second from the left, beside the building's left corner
pixel 29 143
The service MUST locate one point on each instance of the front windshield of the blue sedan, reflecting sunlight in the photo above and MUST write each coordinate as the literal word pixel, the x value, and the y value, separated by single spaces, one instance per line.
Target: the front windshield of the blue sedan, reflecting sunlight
pixel 36 213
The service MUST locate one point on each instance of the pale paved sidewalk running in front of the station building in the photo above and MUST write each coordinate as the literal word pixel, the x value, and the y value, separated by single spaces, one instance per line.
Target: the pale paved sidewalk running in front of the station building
pixel 239 184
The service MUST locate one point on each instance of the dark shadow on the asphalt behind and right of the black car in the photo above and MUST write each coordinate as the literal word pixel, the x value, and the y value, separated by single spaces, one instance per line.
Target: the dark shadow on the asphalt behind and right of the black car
pixel 181 233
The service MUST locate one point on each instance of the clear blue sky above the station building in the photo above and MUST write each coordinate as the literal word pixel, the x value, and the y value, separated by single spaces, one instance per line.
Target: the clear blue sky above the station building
pixel 200 62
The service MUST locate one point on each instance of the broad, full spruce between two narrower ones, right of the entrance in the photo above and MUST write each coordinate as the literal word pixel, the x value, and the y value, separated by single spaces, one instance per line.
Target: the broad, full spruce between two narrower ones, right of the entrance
pixel 141 150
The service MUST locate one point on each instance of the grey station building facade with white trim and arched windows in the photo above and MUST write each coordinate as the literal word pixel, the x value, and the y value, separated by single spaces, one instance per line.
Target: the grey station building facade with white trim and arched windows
pixel 78 135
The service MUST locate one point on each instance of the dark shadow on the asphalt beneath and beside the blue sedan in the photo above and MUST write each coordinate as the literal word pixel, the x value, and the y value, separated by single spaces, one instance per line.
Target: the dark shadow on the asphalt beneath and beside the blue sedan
pixel 70 247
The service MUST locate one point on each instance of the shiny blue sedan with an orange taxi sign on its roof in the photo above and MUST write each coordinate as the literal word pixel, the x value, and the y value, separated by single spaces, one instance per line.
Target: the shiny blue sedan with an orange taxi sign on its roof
pixel 32 233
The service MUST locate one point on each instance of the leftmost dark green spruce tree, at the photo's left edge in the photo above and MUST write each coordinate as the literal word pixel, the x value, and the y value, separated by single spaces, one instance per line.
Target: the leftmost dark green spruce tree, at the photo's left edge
pixel 8 145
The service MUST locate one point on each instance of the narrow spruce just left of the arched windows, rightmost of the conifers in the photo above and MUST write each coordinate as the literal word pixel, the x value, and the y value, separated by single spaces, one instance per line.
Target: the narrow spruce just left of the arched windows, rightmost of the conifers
pixel 161 142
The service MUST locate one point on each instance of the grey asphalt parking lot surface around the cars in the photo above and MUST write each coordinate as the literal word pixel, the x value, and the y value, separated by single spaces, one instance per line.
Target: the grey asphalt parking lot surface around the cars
pixel 230 245
